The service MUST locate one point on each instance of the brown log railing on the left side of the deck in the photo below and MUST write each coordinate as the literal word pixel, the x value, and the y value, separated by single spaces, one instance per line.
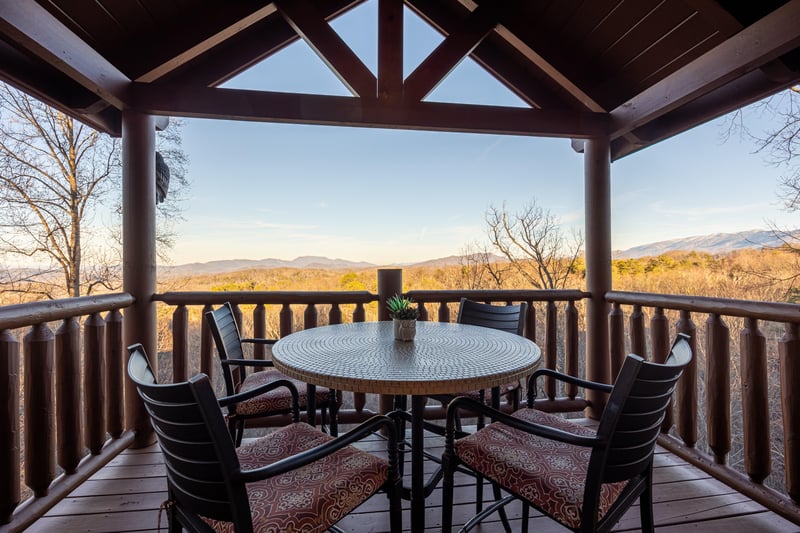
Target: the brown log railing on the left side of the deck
pixel 72 402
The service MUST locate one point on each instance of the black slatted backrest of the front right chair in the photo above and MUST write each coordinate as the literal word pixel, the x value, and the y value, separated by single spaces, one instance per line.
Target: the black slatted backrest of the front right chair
pixel 633 416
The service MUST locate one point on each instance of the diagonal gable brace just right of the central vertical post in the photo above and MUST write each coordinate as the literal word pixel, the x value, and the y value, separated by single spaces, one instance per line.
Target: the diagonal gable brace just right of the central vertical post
pixel 458 45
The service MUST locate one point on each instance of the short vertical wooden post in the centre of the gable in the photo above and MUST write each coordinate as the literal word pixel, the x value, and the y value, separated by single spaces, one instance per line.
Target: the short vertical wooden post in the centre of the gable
pixel 390 49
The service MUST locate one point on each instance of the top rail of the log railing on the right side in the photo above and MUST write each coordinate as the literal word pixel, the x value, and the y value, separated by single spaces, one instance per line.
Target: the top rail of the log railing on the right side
pixel 772 311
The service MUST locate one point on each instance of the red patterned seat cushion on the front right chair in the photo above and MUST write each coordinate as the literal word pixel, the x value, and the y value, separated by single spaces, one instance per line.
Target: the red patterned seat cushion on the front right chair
pixel 547 473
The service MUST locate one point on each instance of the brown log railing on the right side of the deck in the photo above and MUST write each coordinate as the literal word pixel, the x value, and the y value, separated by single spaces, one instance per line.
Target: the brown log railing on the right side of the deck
pixel 768 368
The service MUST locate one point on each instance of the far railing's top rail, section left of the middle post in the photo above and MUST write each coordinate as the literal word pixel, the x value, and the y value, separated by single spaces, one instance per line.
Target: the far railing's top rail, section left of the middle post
pixel 266 297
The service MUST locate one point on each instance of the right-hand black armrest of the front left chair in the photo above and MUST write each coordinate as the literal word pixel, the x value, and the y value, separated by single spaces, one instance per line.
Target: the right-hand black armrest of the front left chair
pixel 309 456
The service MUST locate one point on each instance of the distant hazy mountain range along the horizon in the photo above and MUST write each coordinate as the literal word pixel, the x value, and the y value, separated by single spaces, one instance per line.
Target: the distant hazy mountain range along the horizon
pixel 714 243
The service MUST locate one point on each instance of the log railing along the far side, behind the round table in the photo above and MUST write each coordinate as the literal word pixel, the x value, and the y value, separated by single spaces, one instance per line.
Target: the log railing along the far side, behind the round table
pixel 291 304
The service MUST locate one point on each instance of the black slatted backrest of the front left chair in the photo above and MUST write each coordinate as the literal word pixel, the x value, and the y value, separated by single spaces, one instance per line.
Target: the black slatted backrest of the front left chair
pixel 198 452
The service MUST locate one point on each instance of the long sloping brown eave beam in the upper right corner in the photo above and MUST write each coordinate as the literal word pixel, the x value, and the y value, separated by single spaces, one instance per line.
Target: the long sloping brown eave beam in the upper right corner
pixel 760 43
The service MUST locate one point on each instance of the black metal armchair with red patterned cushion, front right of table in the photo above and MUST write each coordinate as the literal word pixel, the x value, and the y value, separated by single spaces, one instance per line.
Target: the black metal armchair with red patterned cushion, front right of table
pixel 584 479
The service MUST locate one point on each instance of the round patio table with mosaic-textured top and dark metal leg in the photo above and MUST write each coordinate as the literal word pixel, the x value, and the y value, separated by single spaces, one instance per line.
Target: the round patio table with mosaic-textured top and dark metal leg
pixel 444 358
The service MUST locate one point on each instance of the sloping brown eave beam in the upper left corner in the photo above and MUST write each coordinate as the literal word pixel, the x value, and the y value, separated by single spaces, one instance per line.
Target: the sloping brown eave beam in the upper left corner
pixel 37 31
